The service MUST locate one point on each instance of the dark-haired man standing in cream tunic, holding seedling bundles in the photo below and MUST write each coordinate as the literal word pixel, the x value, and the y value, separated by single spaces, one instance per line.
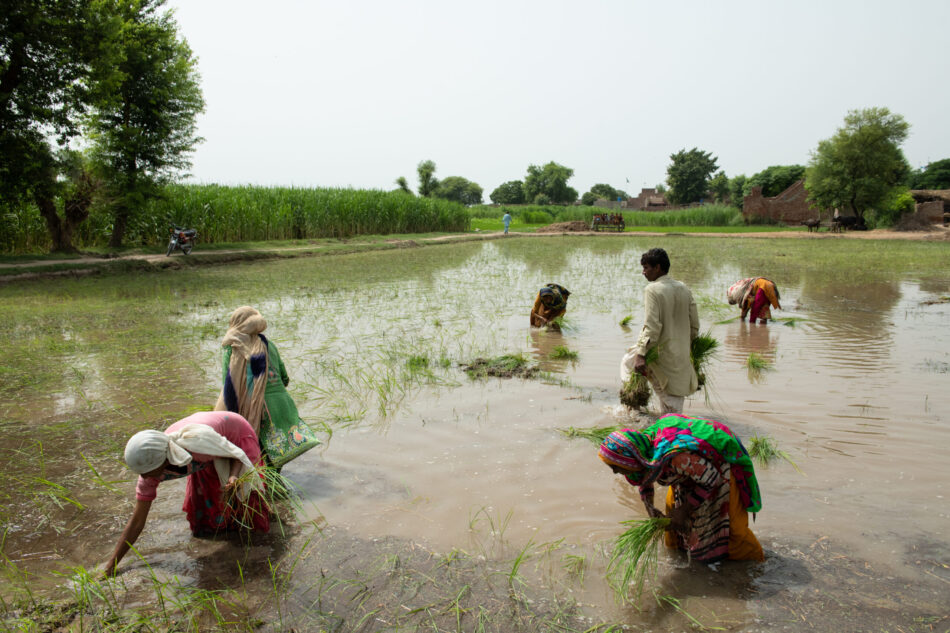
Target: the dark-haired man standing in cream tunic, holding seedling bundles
pixel 670 324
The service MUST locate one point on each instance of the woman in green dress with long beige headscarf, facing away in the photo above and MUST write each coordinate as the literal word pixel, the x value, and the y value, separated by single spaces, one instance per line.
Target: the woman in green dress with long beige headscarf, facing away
pixel 255 385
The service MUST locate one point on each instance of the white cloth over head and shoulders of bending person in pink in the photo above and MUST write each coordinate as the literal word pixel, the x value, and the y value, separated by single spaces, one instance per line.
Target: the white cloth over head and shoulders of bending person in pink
pixel 147 450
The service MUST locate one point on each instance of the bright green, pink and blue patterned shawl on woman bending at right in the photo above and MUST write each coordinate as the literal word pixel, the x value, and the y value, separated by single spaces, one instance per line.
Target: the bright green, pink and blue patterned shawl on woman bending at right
pixel 644 453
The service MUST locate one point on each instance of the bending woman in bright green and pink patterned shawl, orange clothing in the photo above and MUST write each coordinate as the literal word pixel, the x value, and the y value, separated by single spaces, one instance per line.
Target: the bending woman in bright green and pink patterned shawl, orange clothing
pixel 711 478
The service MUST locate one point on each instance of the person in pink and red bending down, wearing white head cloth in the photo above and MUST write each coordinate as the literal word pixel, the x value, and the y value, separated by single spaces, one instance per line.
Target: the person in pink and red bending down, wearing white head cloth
pixel 216 450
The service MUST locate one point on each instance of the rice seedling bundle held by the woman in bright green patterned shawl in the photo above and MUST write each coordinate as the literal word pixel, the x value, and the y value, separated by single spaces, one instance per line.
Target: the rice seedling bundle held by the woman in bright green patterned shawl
pixel 635 555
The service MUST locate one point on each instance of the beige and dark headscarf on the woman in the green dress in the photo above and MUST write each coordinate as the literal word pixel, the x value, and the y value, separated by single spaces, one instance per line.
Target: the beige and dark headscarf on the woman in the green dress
pixel 248 347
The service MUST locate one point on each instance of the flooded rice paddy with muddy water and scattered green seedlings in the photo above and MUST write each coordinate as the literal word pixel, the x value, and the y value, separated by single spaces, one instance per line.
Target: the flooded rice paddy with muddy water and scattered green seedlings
pixel 443 503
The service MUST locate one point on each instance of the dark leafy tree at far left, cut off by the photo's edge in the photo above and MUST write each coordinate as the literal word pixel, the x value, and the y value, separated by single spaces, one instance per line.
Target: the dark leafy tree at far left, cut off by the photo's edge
pixel 51 53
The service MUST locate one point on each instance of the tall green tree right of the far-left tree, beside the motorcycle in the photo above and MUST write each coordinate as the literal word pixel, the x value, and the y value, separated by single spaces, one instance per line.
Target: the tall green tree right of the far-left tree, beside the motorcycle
pixel 143 127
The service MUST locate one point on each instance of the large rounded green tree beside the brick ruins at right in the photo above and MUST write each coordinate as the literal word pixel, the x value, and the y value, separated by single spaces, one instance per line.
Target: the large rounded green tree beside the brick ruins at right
pixel 859 167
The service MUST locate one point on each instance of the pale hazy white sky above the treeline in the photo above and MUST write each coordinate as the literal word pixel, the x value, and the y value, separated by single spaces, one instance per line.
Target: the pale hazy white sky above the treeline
pixel 355 93
